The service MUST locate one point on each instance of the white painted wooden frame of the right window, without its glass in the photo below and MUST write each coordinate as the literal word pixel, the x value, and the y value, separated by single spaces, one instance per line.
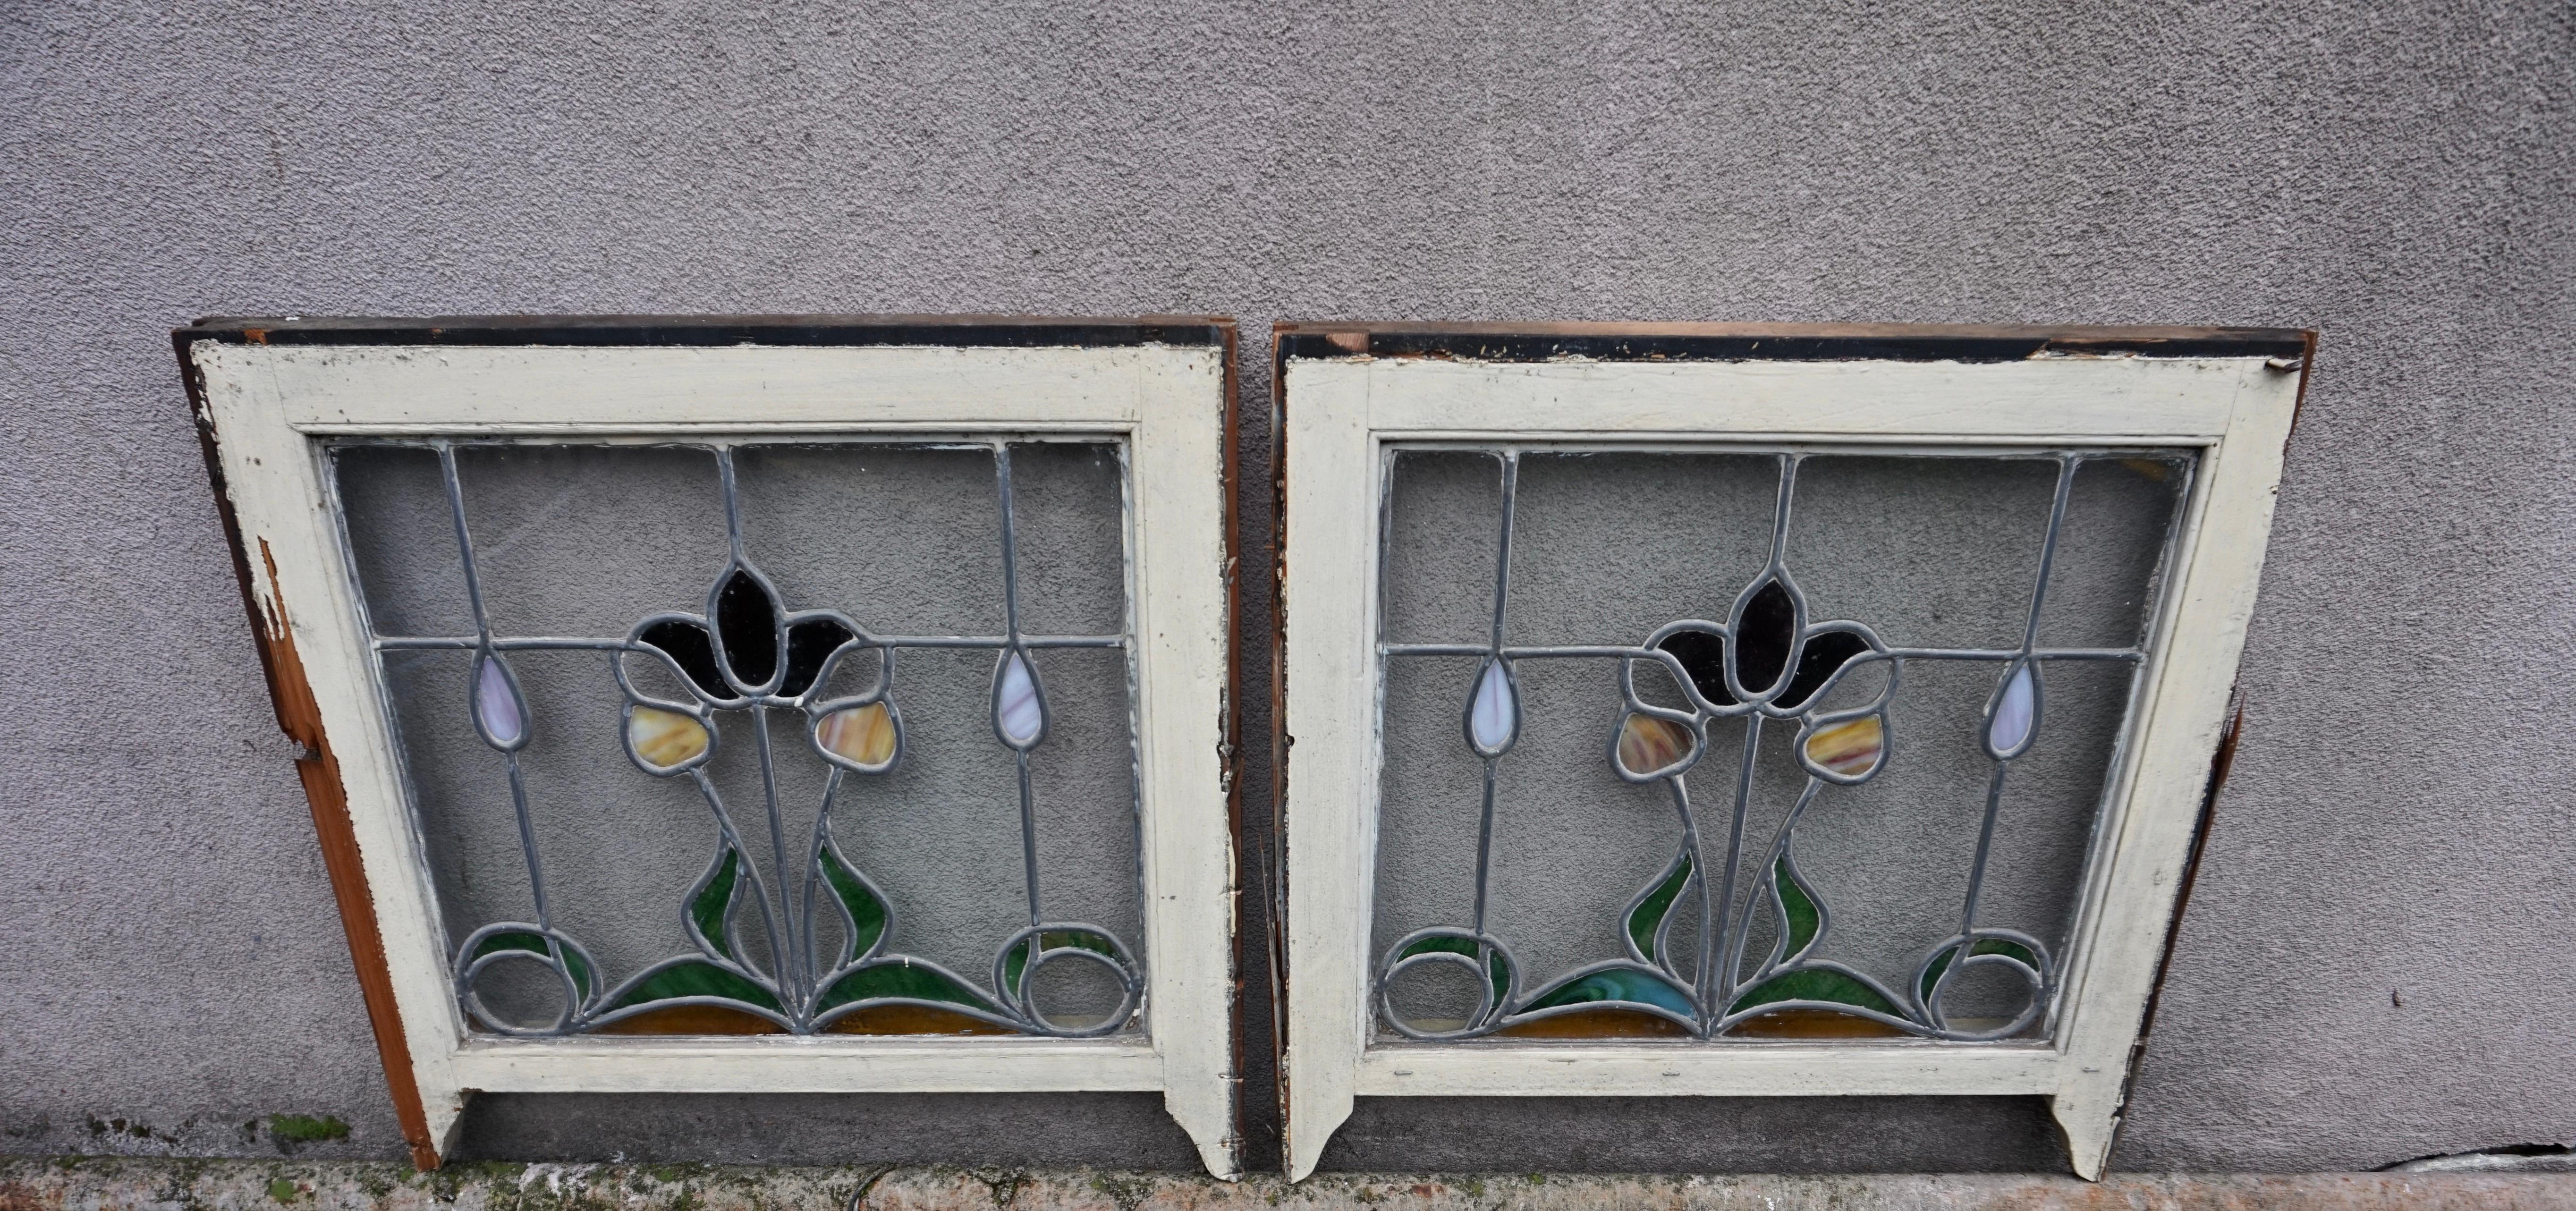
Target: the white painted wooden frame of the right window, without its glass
pixel 1351 390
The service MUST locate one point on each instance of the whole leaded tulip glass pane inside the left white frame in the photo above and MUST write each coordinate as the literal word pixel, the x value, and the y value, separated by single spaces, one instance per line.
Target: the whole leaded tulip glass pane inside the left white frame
pixel 764 738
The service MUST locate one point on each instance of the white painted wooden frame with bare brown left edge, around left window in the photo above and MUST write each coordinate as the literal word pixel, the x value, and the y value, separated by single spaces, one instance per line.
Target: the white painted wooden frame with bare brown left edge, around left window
pixel 272 393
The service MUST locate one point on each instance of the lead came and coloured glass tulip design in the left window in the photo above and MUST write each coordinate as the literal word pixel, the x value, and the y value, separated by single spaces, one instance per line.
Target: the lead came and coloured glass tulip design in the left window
pixel 800 991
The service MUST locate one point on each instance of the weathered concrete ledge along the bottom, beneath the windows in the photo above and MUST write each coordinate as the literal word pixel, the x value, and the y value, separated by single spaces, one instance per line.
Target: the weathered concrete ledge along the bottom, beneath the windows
pixel 86 1184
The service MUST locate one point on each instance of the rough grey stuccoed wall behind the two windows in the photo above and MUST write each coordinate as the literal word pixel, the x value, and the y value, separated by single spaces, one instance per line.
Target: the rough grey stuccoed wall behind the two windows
pixel 2379 955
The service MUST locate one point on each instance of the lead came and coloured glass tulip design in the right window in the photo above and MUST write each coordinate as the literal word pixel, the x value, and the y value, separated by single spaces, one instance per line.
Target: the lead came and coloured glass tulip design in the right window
pixel 1841 746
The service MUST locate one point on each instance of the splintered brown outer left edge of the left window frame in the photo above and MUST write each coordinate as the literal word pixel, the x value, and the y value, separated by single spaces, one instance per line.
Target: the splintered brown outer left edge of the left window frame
pixel 318 772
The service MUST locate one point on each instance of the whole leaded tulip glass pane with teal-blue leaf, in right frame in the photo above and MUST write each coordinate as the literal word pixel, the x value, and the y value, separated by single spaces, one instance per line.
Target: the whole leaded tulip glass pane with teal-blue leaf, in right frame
pixel 1750 743
